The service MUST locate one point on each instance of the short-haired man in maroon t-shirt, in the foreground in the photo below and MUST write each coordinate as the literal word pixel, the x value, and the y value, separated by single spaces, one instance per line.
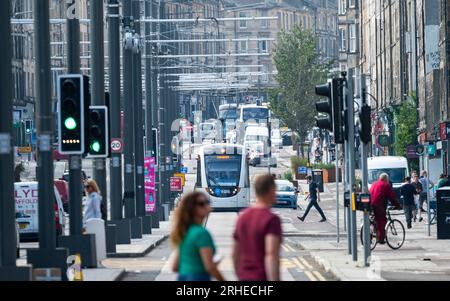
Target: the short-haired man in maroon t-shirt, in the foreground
pixel 258 235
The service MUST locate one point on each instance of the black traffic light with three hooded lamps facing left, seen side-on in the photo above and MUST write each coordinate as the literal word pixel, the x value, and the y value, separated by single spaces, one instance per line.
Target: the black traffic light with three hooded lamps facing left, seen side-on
pixel 332 108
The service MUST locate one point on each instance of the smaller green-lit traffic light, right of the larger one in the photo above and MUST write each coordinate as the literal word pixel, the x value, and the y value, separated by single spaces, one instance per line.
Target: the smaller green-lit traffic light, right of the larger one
pixel 98 132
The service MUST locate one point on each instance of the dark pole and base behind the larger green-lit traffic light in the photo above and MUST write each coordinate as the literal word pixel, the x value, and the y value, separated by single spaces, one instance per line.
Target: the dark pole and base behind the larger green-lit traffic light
pixel 77 243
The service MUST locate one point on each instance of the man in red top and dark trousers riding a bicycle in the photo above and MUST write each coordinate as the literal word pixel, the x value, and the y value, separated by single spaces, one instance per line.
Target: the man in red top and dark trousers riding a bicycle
pixel 381 192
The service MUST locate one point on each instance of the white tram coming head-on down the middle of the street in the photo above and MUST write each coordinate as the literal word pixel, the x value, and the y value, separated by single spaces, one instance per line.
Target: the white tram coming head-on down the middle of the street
pixel 223 174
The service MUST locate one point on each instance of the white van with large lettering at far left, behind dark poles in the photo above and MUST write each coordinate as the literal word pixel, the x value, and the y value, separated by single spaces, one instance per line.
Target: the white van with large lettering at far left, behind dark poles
pixel 27 214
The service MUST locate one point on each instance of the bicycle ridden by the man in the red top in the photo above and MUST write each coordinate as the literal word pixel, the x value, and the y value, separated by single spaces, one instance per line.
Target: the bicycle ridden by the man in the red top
pixel 395 232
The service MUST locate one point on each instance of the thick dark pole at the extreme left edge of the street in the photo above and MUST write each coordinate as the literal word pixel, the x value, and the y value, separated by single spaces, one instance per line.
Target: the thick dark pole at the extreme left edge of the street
pixel 8 239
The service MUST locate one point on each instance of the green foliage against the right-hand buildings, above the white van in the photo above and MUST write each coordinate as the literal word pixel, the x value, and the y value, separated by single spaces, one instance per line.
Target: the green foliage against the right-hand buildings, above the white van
pixel 406 126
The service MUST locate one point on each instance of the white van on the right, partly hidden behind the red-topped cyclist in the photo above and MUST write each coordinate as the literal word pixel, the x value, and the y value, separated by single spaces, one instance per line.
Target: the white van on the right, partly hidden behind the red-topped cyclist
pixel 395 167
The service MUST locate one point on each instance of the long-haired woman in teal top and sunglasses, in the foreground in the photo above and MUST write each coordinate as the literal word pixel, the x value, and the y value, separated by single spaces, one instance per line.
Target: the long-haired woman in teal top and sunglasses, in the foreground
pixel 195 246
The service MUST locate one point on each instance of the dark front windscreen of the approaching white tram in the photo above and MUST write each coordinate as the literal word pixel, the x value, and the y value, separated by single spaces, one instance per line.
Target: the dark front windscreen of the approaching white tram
pixel 223 173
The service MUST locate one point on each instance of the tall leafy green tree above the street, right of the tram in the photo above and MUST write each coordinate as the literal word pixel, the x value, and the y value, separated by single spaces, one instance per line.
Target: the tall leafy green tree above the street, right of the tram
pixel 300 68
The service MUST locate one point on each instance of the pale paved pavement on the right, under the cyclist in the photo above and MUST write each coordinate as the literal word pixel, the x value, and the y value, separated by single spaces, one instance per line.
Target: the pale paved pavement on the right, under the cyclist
pixel 421 258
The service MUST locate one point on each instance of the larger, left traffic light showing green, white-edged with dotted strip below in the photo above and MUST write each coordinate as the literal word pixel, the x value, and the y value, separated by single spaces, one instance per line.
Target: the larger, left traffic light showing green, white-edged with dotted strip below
pixel 72 108
